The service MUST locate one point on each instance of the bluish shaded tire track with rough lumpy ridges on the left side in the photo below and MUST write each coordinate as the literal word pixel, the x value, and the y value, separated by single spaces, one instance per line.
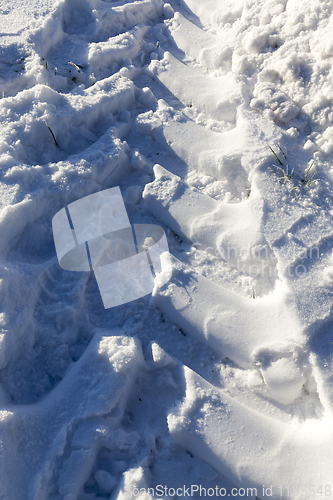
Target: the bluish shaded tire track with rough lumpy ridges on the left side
pixel 43 456
